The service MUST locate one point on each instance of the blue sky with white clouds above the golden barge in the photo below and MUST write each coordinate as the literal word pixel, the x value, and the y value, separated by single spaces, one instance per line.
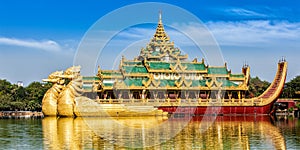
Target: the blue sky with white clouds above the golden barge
pixel 40 37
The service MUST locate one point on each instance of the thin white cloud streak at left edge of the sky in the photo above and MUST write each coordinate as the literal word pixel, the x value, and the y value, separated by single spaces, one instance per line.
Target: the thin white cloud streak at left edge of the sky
pixel 47 45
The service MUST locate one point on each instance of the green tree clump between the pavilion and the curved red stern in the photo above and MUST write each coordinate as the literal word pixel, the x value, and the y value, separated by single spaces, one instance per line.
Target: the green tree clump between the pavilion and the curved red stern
pixel 257 86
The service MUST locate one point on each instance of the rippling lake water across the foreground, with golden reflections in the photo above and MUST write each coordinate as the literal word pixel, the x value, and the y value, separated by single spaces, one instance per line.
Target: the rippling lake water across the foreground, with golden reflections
pixel 209 132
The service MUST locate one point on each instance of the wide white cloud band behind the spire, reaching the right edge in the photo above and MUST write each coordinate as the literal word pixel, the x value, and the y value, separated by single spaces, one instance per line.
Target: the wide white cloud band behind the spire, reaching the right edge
pixel 258 33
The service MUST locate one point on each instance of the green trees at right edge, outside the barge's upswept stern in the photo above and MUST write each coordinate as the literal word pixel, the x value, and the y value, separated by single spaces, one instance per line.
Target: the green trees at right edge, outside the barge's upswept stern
pixel 292 88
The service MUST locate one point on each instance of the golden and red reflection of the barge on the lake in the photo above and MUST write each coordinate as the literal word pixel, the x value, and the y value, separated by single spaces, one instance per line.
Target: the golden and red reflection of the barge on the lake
pixel 239 132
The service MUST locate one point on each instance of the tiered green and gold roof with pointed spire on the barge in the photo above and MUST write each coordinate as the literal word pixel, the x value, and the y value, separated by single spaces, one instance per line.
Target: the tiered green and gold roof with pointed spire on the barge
pixel 161 62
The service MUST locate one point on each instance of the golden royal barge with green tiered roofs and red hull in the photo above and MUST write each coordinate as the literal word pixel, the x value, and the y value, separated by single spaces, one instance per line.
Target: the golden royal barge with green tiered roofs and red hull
pixel 159 81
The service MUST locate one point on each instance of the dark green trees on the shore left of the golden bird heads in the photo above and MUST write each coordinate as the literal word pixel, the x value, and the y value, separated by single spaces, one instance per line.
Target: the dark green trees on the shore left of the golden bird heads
pixel 13 97
